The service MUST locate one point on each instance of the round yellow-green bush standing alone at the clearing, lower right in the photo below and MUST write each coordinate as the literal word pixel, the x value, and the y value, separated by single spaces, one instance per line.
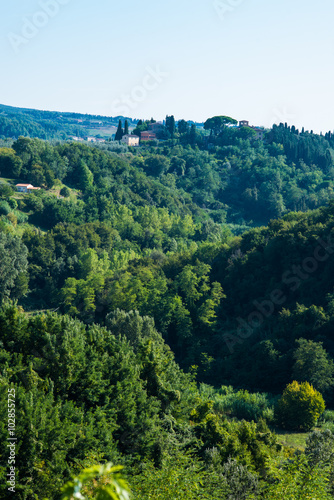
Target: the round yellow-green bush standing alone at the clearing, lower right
pixel 299 407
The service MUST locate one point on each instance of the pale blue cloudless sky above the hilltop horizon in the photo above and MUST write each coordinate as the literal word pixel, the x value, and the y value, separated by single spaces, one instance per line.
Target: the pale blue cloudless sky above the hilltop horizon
pixel 258 60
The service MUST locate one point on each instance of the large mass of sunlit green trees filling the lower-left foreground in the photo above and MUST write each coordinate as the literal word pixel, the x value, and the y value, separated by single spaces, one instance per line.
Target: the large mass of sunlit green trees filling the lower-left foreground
pixel 85 392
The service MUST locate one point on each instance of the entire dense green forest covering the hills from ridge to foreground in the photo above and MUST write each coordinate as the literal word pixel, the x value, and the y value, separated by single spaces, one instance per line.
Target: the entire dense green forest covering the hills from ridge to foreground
pixel 169 308
